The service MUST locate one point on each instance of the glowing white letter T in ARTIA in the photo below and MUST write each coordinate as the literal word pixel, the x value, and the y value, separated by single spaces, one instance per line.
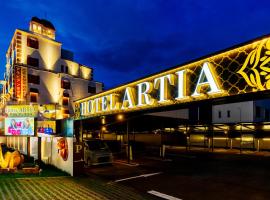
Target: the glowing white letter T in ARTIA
pixel 161 83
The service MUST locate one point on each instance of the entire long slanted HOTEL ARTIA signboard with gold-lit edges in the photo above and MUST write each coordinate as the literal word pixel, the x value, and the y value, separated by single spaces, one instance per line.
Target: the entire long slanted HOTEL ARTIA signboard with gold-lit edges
pixel 237 71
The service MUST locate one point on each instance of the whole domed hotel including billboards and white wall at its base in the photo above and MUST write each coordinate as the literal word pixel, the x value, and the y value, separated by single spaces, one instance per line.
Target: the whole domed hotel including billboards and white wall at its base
pixel 40 84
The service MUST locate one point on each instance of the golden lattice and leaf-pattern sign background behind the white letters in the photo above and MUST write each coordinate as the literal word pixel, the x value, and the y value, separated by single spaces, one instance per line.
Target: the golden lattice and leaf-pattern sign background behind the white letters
pixel 237 71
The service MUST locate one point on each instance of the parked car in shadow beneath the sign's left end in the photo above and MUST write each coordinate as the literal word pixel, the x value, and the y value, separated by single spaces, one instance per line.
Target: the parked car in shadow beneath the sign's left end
pixel 97 152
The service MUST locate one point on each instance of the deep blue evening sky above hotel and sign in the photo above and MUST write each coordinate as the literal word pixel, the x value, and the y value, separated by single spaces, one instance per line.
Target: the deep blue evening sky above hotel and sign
pixel 127 39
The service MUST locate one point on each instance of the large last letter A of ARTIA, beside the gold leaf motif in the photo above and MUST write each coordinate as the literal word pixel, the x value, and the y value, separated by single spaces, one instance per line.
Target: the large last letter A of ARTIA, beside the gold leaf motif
pixel 206 78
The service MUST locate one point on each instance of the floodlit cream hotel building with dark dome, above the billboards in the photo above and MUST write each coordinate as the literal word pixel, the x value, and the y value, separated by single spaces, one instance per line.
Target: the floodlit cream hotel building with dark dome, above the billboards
pixel 40 71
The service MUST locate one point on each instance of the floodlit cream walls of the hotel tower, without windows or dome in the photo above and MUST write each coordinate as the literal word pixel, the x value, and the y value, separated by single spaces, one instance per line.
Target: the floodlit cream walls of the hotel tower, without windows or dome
pixel 49 72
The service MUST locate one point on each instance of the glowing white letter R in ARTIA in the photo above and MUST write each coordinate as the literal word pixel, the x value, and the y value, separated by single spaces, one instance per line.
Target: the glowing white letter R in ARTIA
pixel 144 90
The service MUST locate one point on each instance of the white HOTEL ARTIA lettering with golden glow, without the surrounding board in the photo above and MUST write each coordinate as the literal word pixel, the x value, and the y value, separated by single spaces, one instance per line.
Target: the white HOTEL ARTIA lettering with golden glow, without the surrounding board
pixel 141 94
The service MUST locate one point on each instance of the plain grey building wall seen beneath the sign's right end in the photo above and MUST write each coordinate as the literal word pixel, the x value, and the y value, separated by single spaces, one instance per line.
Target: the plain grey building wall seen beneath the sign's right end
pixel 239 112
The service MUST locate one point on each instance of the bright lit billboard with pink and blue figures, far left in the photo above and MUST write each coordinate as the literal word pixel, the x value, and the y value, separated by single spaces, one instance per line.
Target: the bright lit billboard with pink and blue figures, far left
pixel 19 126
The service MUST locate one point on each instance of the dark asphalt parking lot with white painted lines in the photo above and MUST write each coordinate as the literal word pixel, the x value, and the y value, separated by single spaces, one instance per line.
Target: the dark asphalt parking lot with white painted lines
pixel 194 175
